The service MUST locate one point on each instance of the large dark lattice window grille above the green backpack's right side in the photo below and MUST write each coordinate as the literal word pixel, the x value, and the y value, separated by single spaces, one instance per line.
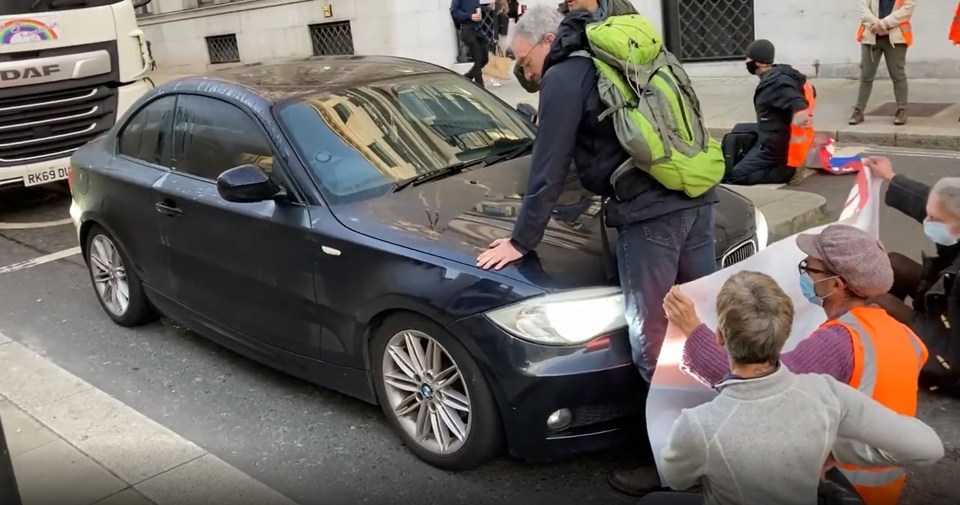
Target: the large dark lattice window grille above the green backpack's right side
pixel 709 30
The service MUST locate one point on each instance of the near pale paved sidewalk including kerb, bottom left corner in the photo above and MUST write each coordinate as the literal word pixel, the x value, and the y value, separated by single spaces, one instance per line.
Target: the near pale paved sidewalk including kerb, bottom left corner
pixel 72 444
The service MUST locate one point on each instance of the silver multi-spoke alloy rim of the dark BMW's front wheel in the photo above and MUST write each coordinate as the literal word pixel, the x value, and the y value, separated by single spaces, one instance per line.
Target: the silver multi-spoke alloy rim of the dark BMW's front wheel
pixel 426 391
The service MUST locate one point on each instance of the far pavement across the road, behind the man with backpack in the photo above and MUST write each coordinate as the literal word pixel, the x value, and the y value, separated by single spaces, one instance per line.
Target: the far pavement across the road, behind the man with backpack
pixel 728 101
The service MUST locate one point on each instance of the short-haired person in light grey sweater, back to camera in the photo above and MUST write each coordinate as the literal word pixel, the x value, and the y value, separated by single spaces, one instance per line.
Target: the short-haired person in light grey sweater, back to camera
pixel 767 435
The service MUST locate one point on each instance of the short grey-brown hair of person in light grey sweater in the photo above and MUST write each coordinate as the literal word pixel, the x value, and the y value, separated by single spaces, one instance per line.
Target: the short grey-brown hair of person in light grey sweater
pixel 754 315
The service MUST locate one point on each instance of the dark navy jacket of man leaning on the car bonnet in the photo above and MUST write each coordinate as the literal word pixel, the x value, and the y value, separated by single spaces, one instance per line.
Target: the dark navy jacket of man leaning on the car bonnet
pixel 570 131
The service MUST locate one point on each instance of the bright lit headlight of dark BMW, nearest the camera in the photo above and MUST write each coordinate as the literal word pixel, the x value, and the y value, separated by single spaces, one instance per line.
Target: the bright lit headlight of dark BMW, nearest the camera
pixel 566 318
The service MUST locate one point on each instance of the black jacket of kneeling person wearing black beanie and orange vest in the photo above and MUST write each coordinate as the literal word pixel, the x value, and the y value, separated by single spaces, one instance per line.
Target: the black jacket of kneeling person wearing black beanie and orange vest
pixel 778 97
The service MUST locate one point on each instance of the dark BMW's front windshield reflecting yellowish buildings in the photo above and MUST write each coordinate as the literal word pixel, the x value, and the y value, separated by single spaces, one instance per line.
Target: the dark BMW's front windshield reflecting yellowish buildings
pixel 362 141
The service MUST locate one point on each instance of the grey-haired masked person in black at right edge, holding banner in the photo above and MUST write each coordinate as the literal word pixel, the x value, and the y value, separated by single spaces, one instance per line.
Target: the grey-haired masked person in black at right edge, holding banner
pixel 935 312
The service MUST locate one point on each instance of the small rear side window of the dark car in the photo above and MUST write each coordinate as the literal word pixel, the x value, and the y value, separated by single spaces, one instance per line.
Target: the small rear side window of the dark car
pixel 147 134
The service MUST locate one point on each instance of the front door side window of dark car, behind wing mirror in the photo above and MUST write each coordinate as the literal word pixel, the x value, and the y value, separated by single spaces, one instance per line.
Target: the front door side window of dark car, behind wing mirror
pixel 213 136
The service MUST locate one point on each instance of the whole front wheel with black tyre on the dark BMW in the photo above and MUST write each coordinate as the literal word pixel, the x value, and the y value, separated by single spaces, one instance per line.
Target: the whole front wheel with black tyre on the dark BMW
pixel 483 437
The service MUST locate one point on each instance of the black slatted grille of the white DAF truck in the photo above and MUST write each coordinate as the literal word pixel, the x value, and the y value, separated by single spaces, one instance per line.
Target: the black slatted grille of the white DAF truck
pixel 54 124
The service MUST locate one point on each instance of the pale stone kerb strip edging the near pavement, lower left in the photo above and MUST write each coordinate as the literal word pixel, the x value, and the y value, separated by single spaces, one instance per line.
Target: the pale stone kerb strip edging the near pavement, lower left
pixel 156 461
